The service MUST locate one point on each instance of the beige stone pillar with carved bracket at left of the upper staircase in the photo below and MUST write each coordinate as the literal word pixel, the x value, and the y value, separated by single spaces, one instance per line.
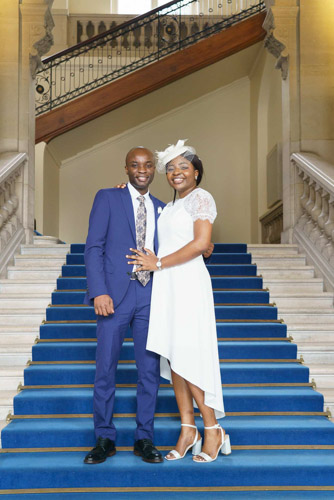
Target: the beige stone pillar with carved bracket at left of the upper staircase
pixel 35 39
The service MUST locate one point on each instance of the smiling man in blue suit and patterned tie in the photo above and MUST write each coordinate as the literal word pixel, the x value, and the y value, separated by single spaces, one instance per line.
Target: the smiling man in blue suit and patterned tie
pixel 122 219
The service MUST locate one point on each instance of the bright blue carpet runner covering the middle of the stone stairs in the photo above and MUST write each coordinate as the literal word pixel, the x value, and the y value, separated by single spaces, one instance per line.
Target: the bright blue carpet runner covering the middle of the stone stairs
pixel 283 442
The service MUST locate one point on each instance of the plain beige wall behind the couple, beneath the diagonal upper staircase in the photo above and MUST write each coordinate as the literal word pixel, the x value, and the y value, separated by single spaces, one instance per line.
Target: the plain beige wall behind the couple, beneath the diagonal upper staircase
pixel 217 124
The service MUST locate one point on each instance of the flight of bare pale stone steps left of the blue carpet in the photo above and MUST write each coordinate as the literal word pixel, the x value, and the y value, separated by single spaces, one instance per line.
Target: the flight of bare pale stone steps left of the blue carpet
pixel 24 295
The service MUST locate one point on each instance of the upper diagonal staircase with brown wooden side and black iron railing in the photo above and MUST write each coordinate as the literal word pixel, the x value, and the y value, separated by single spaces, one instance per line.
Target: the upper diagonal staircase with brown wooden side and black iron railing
pixel 139 56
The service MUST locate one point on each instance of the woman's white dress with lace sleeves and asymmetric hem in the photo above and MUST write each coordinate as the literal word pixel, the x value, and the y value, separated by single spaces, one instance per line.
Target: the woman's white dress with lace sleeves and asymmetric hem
pixel 182 325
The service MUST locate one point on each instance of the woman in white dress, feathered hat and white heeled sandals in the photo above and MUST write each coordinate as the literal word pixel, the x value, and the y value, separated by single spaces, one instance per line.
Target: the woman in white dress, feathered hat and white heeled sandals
pixel 182 325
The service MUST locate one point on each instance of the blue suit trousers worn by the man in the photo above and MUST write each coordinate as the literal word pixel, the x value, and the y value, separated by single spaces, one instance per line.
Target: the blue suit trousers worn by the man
pixel 134 310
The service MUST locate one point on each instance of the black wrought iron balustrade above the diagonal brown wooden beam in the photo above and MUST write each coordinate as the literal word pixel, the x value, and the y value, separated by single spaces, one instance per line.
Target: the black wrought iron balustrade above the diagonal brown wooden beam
pixel 134 44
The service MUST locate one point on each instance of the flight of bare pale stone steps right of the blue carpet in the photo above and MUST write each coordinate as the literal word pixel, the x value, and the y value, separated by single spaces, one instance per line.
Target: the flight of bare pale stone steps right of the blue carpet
pixel 305 307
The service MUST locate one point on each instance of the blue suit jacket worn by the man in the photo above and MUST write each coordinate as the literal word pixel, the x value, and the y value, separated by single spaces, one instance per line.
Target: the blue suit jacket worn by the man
pixel 111 233
